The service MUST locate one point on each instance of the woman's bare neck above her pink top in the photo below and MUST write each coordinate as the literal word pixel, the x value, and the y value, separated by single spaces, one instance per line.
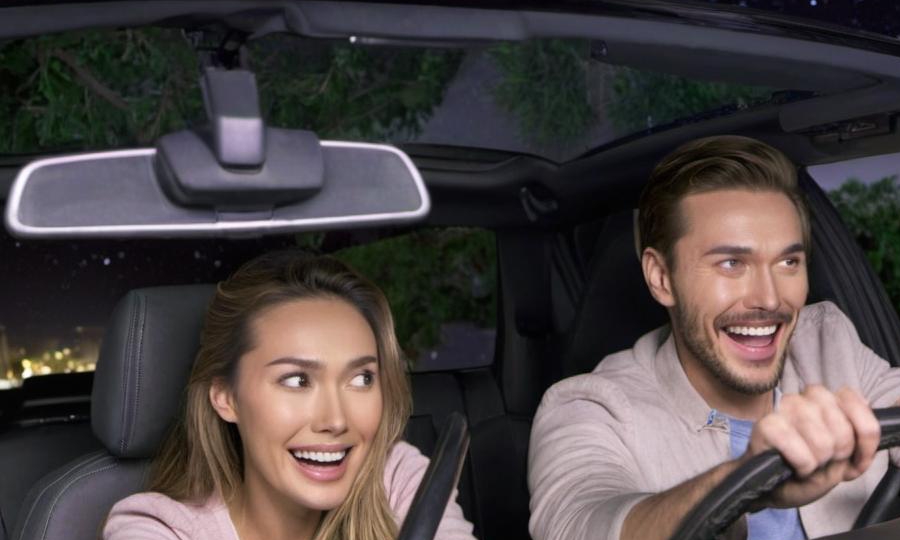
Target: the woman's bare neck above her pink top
pixel 258 514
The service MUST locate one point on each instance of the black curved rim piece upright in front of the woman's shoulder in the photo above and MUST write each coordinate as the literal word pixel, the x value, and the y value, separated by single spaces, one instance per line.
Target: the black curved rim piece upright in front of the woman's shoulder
pixel 430 500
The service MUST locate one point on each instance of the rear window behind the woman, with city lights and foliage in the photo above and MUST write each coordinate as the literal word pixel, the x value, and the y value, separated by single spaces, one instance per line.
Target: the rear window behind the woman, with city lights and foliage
pixel 57 296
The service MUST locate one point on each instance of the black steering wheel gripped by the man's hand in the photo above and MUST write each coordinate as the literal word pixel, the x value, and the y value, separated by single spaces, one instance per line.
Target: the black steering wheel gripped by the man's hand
pixel 759 476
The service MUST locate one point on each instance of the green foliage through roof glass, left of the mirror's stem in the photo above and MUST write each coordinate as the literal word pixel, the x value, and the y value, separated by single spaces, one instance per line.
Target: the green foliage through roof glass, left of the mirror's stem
pixel 95 89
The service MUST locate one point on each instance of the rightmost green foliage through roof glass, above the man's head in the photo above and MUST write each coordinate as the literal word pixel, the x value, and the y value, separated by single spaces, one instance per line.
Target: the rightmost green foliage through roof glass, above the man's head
pixel 644 99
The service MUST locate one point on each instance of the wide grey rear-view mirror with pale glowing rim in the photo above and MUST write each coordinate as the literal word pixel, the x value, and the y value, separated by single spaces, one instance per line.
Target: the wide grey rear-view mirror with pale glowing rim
pixel 125 194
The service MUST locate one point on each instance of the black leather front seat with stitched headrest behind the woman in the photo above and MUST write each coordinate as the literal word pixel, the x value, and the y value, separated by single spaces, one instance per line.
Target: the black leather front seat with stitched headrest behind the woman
pixel 144 364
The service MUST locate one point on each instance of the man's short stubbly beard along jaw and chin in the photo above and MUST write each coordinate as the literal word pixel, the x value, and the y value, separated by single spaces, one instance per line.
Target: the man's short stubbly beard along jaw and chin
pixel 687 322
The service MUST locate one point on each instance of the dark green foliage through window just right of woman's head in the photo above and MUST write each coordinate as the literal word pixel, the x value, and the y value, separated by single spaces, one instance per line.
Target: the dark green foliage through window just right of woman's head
pixel 431 277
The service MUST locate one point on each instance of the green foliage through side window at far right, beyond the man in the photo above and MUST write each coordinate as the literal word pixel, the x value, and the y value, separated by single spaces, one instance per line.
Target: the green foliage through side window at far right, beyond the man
pixel 870 212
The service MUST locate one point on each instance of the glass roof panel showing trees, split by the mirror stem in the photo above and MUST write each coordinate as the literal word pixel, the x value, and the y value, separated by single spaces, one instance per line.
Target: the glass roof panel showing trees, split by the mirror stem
pixel 97 90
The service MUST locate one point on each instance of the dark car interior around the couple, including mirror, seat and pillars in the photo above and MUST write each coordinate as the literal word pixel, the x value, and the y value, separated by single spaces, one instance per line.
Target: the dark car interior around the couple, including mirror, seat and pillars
pixel 570 288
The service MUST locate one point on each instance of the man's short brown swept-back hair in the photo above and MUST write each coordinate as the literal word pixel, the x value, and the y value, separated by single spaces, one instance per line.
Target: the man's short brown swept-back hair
pixel 712 164
